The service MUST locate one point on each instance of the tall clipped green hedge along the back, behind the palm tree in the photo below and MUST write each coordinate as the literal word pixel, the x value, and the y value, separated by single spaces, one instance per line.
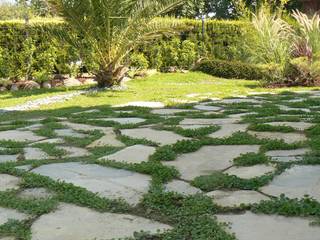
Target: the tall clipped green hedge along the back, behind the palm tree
pixel 48 55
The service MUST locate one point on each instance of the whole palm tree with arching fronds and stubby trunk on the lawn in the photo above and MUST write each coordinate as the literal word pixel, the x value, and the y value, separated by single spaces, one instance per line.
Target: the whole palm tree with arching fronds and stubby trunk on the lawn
pixel 113 28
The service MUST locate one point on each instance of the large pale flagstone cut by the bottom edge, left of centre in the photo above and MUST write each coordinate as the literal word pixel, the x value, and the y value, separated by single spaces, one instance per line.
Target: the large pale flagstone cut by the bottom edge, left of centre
pixel 70 222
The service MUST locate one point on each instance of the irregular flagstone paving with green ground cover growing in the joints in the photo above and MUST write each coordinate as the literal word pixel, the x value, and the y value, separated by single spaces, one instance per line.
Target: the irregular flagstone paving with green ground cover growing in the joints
pixel 121 165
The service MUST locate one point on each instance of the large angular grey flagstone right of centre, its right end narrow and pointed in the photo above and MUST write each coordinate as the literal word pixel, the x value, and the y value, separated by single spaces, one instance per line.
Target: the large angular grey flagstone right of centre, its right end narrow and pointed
pixel 209 159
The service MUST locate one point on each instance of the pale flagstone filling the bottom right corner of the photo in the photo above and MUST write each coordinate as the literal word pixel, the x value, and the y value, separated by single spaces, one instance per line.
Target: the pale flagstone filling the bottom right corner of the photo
pixel 251 226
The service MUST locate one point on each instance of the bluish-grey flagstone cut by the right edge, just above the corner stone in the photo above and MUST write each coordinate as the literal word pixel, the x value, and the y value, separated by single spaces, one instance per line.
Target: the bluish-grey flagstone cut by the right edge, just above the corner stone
pixel 296 182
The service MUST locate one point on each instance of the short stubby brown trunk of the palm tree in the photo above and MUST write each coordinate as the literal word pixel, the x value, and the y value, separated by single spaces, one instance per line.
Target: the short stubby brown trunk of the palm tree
pixel 110 77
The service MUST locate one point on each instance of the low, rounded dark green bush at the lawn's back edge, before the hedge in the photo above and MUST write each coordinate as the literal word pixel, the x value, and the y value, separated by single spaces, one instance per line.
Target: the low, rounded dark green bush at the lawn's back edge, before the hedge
pixel 227 69
